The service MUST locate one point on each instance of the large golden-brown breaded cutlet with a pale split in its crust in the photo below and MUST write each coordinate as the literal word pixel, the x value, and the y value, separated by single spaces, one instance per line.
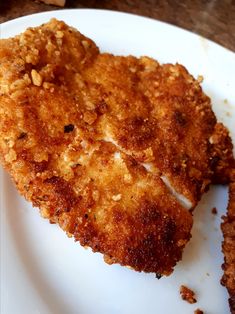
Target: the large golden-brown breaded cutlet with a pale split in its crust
pixel 116 150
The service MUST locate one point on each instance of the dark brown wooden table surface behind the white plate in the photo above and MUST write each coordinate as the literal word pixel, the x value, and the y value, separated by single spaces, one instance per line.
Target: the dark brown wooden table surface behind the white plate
pixel 213 19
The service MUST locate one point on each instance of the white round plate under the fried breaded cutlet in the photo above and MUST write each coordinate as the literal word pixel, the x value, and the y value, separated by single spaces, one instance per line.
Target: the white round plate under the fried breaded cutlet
pixel 43 271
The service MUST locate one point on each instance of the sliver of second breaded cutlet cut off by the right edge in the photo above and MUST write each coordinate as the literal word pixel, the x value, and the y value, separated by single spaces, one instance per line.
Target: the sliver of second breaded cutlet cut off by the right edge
pixel 228 246
